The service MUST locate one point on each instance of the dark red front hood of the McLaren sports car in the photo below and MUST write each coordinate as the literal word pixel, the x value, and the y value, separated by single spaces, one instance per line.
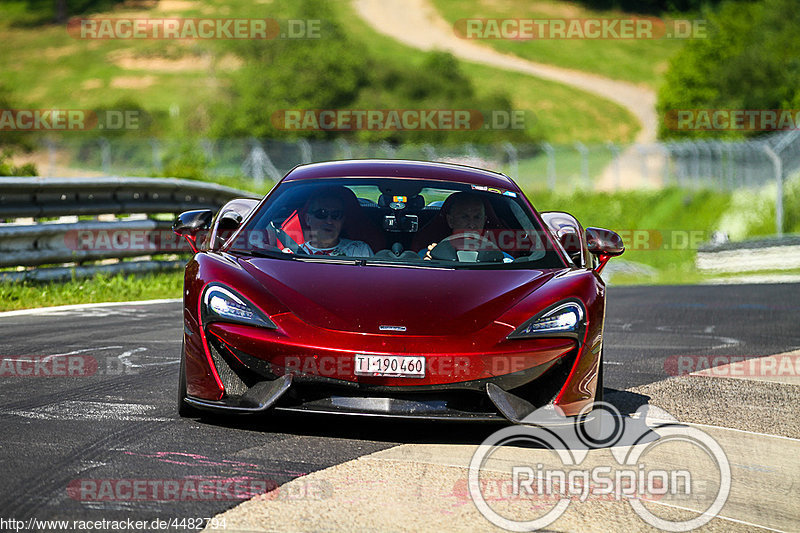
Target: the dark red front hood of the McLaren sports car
pixel 424 301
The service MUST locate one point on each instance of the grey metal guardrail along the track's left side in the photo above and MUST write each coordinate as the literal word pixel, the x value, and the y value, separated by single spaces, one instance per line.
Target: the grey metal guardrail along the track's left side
pixel 55 242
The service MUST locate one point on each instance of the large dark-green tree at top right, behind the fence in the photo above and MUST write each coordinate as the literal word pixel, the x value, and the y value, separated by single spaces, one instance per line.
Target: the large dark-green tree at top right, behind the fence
pixel 750 60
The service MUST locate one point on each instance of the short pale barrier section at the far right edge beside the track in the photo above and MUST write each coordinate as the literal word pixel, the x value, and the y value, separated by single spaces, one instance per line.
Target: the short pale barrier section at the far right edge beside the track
pixel 781 253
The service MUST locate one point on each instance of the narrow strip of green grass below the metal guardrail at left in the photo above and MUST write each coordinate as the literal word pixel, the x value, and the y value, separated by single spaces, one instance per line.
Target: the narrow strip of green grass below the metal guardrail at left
pixel 101 288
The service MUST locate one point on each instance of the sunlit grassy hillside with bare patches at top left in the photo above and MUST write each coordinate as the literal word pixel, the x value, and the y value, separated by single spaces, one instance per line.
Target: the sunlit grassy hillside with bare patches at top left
pixel 46 67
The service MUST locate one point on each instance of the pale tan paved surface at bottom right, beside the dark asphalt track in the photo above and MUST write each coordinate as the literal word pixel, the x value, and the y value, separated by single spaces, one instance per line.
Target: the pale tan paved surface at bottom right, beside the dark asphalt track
pixel 419 487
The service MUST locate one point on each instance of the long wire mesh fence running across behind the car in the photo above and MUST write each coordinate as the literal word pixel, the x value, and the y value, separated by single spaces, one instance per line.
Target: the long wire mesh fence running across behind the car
pixel 717 165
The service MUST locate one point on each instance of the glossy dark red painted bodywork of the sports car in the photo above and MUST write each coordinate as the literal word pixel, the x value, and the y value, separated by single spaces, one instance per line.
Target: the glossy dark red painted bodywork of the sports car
pixel 459 319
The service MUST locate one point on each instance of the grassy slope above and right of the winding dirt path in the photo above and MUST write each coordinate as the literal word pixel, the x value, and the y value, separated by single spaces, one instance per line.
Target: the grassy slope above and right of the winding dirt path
pixel 641 61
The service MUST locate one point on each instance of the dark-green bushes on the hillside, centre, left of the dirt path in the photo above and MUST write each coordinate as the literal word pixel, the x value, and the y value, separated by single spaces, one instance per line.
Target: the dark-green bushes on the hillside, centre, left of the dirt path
pixel 338 73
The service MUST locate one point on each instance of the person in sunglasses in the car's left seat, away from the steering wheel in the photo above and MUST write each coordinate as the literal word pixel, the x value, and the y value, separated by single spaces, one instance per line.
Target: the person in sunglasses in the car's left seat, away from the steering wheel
pixel 324 217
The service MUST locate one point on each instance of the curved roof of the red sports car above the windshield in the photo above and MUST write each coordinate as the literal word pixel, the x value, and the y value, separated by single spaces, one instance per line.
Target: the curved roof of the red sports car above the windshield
pixel 401 168
